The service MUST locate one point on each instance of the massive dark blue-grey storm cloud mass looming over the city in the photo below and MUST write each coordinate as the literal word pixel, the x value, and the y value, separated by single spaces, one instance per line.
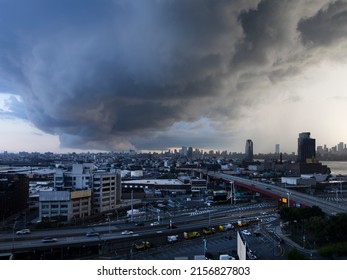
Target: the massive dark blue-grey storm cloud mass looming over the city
pixel 116 74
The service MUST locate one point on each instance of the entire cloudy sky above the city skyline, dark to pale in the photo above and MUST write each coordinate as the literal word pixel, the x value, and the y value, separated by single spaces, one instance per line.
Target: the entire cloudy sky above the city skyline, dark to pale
pixel 156 74
